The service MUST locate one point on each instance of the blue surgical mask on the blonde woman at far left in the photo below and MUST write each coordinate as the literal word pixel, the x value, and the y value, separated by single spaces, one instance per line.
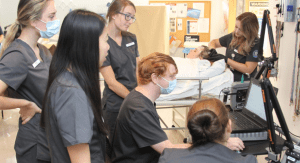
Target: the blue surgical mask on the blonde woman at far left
pixel 52 28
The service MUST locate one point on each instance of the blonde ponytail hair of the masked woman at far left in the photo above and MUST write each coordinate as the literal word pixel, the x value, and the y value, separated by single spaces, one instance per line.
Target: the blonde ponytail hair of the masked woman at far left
pixel 28 10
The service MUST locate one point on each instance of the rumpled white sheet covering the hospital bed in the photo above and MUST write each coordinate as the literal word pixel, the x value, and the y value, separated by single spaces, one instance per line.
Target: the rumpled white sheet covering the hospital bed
pixel 219 78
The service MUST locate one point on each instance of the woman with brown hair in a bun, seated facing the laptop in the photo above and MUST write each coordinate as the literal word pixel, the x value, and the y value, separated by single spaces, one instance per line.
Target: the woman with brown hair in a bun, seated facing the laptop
pixel 210 128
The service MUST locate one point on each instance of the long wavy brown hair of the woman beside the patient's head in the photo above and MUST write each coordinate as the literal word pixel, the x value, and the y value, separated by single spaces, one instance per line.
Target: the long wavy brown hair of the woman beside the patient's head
pixel 249 25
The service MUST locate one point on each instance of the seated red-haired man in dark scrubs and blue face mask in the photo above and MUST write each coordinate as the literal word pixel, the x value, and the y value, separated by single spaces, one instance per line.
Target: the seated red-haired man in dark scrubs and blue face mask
pixel 138 136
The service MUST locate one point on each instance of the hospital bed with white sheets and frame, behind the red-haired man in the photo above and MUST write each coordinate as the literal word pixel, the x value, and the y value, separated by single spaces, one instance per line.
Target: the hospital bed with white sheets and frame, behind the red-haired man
pixel 191 85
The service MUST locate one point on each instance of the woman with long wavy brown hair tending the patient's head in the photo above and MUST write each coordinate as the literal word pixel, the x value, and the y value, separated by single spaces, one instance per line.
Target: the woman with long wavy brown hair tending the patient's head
pixel 242 47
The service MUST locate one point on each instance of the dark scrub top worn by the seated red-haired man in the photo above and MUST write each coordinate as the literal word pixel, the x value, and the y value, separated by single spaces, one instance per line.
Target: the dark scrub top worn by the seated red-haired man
pixel 137 128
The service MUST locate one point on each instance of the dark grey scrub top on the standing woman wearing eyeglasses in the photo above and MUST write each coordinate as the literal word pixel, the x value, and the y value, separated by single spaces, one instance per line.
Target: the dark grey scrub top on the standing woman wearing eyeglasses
pixel 122 59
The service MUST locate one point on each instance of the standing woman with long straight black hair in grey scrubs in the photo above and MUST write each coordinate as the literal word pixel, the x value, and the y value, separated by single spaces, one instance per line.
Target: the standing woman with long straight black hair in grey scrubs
pixel 72 114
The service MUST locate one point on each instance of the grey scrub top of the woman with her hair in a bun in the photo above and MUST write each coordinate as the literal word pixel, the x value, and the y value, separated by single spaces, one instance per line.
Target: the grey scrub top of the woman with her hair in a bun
pixel 208 153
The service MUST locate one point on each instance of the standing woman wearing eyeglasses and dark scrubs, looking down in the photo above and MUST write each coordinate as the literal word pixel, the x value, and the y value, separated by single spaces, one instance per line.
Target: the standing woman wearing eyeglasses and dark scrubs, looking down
pixel 119 69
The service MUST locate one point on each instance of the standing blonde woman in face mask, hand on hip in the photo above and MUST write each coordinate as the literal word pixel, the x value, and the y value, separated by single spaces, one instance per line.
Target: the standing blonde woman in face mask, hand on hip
pixel 24 68
